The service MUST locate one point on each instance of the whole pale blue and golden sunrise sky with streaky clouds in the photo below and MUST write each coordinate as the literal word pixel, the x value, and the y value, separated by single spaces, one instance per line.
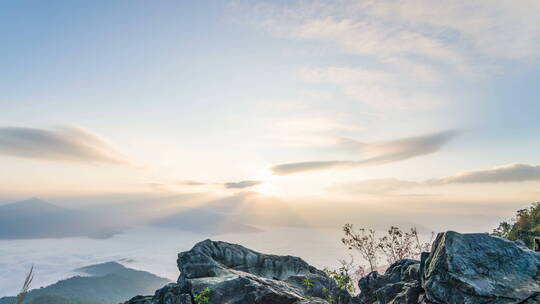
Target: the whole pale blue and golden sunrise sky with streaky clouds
pixel 413 111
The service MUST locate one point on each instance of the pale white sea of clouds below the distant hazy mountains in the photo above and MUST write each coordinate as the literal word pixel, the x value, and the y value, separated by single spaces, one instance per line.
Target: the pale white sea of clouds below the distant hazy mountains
pixel 151 249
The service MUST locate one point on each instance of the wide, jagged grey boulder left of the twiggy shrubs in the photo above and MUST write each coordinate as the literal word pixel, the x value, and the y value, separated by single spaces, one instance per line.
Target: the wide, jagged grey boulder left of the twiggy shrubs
pixel 218 272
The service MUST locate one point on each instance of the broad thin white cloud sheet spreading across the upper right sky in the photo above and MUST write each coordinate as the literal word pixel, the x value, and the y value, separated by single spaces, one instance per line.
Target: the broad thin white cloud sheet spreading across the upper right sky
pixel 408 52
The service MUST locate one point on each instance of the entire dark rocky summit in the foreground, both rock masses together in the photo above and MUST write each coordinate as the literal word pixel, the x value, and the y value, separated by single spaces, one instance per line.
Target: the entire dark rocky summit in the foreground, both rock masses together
pixel 460 269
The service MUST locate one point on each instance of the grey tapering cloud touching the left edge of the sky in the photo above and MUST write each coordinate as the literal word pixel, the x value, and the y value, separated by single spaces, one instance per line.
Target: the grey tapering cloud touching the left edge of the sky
pixel 62 144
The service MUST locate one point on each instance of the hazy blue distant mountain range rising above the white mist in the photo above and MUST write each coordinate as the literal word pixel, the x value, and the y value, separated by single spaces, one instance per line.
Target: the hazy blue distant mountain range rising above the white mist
pixel 35 218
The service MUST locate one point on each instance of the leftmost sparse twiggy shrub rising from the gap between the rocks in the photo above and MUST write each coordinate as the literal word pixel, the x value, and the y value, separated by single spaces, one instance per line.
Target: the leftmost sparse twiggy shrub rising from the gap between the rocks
pixel 364 241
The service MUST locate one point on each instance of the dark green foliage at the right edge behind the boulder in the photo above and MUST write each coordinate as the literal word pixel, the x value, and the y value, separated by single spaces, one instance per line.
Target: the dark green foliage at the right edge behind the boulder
pixel 525 226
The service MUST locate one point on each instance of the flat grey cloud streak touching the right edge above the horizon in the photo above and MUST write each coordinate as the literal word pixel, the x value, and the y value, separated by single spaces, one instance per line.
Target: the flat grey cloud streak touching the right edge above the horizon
pixel 503 174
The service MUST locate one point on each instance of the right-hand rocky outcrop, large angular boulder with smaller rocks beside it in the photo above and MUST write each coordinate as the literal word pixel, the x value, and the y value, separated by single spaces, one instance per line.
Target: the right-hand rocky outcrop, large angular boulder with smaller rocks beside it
pixel 460 269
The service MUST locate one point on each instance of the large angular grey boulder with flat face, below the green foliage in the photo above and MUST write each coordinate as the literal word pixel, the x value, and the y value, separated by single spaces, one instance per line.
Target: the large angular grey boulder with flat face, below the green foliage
pixel 478 269
